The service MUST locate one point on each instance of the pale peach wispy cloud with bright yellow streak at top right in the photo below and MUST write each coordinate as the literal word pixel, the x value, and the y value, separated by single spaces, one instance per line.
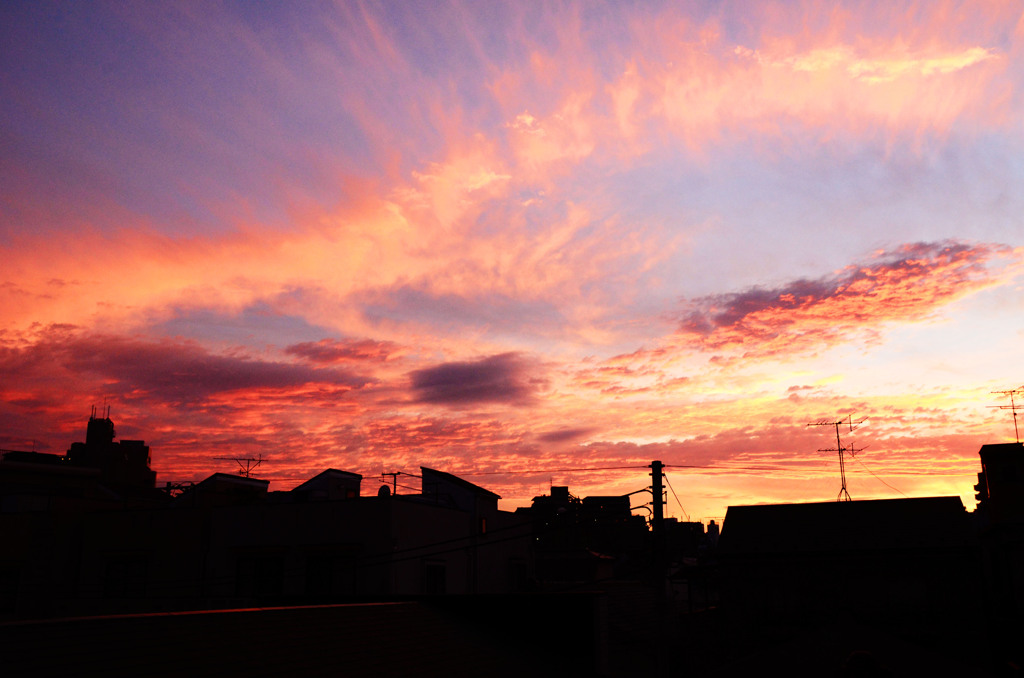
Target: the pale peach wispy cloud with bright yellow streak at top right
pixel 820 70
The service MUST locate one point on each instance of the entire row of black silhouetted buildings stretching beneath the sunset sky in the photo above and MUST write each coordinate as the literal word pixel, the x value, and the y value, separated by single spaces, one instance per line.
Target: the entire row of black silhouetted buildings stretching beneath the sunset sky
pixel 90 533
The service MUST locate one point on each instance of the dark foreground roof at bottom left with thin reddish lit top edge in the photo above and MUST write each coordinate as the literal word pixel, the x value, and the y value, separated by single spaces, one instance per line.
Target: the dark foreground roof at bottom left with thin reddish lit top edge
pixel 448 637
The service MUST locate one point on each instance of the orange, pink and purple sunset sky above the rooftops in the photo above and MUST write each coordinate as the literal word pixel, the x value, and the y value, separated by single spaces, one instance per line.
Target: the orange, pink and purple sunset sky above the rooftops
pixel 523 243
